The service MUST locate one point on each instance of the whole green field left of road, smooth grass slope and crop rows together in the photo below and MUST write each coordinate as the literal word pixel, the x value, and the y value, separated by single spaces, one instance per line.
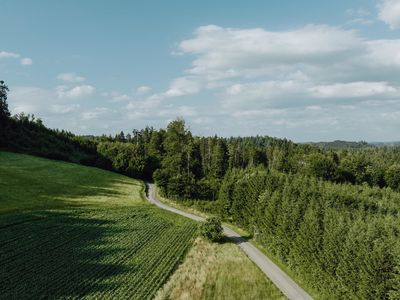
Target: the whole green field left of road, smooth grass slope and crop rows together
pixel 68 231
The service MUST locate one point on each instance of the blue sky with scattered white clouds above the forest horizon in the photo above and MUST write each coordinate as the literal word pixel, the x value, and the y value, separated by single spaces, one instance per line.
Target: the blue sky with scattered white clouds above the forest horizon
pixel 304 70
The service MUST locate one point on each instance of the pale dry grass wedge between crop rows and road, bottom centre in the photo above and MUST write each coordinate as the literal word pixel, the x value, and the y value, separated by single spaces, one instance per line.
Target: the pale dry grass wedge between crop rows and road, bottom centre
pixel 218 271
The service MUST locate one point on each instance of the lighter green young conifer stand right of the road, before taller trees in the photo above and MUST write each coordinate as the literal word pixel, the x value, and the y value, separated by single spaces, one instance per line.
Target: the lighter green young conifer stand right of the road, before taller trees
pixel 342 240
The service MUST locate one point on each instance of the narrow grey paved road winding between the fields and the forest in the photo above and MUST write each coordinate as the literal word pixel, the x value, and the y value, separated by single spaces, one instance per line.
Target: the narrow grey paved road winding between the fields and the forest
pixel 288 287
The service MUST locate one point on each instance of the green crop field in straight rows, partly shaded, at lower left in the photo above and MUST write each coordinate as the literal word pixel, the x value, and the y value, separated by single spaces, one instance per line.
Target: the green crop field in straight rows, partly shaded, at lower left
pixel 116 253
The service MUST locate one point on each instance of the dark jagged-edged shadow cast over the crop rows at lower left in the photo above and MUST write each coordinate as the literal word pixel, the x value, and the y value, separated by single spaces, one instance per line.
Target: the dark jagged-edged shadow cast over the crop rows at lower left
pixel 57 254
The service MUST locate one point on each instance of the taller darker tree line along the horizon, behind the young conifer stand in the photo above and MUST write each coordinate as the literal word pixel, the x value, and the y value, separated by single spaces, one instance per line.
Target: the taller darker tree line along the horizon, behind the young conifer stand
pixel 186 166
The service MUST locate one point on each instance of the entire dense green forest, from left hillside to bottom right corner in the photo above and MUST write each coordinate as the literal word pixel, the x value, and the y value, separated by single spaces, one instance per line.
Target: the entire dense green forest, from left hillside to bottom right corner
pixel 330 214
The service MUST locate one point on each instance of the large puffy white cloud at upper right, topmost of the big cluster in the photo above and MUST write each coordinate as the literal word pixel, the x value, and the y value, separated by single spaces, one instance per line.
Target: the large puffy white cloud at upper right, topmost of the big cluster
pixel 229 53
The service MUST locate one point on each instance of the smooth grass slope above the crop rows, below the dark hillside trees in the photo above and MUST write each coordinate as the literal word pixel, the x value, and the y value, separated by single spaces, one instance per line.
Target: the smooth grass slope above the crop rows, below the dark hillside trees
pixel 29 182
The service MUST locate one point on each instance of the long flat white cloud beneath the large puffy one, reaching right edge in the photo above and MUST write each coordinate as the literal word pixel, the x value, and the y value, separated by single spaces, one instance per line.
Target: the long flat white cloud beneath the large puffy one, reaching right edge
pixel 306 94
